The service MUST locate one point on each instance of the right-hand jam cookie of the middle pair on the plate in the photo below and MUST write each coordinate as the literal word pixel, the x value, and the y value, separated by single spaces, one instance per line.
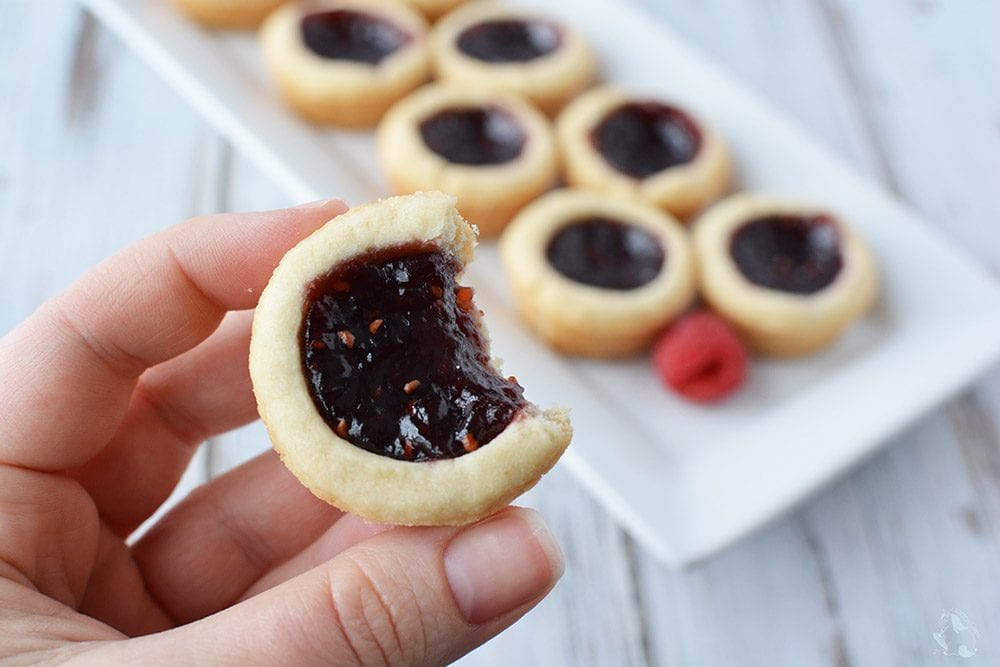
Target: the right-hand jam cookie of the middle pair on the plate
pixel 616 143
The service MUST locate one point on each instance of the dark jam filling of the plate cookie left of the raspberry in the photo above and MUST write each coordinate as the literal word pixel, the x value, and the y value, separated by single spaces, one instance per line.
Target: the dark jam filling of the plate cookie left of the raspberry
pixel 606 253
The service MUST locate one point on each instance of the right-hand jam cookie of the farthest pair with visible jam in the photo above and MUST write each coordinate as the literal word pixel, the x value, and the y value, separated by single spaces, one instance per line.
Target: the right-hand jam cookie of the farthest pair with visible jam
pixel 494 46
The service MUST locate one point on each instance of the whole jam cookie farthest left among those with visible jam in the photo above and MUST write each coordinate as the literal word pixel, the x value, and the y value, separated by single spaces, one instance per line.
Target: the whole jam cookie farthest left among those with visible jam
pixel 344 62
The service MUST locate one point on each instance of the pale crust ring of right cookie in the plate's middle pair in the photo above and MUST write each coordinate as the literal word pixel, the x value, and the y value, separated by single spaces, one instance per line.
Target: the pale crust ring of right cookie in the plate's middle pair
pixel 682 190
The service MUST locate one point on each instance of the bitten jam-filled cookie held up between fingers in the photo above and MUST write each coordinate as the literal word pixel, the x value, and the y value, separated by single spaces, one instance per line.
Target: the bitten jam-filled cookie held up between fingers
pixel 372 372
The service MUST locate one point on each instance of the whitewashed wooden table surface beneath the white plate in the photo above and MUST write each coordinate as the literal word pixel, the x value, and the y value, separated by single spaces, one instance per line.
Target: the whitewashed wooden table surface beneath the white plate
pixel 96 152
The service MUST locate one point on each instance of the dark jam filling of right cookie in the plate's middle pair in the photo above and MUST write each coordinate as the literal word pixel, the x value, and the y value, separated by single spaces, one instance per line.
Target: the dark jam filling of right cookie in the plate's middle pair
pixel 642 138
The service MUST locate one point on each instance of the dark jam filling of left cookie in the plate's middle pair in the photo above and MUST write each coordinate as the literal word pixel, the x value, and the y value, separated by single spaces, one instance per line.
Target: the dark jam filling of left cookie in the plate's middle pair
pixel 474 136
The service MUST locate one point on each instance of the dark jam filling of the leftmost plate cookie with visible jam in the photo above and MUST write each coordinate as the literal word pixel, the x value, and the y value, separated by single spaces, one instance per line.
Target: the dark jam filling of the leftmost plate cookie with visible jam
pixel 343 34
